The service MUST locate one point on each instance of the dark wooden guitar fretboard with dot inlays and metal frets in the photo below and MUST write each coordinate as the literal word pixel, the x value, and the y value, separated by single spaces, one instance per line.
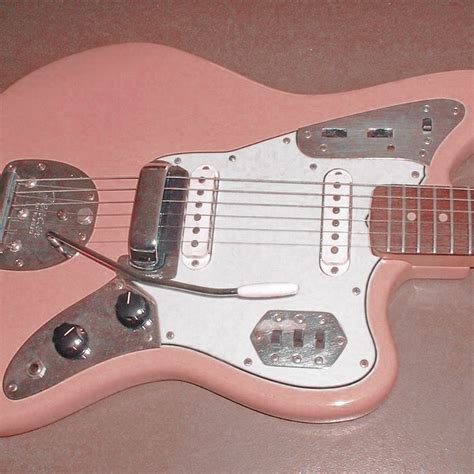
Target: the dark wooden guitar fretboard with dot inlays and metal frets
pixel 406 222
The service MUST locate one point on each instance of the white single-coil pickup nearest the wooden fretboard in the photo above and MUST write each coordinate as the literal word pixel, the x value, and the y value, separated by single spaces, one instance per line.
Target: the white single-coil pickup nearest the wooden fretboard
pixel 336 215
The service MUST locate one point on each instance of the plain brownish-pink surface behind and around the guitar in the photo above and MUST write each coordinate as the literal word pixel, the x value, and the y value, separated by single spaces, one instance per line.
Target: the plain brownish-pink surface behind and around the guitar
pixel 301 46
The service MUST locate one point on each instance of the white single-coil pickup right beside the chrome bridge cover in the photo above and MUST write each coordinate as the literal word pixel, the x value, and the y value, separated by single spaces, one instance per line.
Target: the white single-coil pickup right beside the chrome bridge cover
pixel 199 217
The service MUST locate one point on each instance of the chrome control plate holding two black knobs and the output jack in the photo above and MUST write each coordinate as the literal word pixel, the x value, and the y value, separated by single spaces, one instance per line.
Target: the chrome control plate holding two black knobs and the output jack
pixel 108 338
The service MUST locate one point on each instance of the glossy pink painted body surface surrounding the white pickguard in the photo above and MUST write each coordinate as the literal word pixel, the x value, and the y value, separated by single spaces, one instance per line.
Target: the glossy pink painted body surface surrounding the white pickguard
pixel 109 111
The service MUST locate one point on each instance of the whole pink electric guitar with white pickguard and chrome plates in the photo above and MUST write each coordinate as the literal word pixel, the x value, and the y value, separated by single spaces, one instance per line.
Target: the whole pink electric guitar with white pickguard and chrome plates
pixel 163 218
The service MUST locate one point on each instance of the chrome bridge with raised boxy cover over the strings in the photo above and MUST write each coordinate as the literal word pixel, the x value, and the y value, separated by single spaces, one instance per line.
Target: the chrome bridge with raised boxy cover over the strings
pixel 157 218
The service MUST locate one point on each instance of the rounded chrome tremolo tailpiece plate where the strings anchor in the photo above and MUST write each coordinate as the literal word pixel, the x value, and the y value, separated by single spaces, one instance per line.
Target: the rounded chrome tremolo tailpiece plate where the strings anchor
pixel 30 194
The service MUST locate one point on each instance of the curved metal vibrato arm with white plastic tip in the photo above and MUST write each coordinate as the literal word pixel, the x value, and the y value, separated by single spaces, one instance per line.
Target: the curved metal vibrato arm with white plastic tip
pixel 254 291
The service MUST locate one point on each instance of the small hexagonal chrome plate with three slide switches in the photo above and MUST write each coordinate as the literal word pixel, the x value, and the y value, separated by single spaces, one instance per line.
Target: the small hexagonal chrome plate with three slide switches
pixel 298 339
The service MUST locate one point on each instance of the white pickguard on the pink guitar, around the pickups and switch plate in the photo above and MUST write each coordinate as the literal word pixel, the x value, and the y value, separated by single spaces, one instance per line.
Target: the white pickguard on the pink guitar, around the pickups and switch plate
pixel 221 327
